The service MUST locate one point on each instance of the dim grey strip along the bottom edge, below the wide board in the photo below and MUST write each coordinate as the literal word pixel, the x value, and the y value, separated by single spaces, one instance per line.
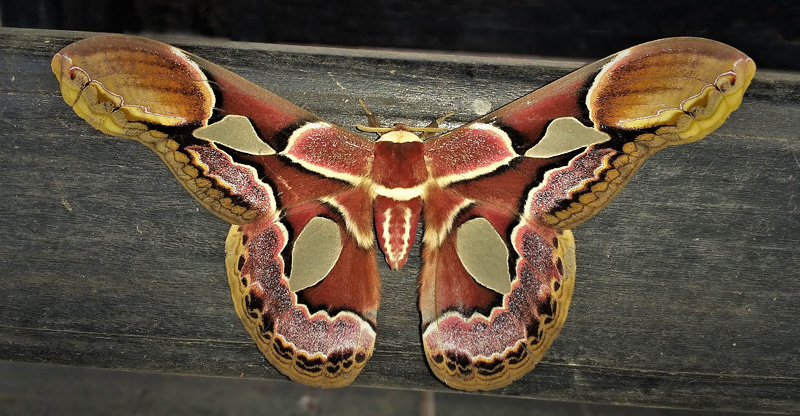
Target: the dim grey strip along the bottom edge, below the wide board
pixel 33 389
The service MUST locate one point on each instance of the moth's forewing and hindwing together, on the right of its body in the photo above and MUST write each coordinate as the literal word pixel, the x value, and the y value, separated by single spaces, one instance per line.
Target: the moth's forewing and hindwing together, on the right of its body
pixel 544 164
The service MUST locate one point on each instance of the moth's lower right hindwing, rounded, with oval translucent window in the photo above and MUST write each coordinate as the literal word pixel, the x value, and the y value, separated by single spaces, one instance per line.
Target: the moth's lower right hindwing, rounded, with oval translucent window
pixel 494 293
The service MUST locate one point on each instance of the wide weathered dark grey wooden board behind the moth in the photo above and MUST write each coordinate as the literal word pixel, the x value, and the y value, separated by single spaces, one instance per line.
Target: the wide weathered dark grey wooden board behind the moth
pixel 687 293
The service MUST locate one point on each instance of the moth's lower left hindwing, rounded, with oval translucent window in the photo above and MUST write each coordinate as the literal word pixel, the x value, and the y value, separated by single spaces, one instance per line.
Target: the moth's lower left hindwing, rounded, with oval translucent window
pixel 307 291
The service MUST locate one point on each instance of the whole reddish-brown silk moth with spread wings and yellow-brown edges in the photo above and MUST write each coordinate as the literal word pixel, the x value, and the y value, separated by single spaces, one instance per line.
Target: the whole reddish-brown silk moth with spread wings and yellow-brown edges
pixel 498 197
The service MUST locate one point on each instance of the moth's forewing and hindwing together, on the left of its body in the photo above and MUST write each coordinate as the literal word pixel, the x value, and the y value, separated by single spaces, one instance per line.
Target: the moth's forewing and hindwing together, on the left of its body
pixel 255 160
